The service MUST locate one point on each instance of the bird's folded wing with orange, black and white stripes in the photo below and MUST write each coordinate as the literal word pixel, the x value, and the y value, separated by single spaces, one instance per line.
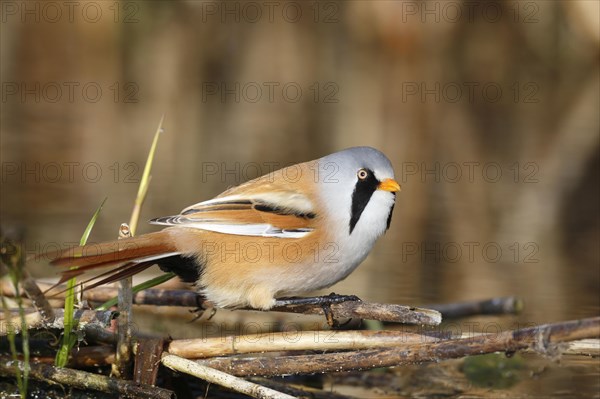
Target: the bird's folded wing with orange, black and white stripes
pixel 270 213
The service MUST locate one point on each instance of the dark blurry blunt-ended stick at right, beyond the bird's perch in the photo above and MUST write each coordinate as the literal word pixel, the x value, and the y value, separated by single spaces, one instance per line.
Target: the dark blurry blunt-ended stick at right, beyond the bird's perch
pixel 494 306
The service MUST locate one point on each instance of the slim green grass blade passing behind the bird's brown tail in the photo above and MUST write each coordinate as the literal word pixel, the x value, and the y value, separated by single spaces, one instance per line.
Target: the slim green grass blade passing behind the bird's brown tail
pixel 69 337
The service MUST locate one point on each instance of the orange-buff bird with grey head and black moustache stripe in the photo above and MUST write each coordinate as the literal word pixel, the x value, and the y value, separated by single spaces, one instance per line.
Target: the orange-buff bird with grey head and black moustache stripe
pixel 295 230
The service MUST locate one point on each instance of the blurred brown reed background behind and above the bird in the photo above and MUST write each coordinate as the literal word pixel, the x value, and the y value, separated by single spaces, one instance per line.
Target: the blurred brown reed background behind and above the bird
pixel 488 111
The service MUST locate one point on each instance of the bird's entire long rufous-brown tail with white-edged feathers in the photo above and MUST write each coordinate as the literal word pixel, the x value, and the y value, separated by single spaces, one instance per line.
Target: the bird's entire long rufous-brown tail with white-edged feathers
pixel 125 257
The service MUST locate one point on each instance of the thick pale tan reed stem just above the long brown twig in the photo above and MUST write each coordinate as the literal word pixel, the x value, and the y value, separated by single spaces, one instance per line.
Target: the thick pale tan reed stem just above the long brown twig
pixel 325 340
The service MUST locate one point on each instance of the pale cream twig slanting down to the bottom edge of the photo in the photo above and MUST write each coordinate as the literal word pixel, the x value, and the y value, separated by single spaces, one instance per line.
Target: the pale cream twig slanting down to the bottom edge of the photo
pixel 220 378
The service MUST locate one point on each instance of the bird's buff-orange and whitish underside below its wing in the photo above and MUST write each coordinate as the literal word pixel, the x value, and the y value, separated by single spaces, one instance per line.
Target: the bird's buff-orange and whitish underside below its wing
pixel 252 271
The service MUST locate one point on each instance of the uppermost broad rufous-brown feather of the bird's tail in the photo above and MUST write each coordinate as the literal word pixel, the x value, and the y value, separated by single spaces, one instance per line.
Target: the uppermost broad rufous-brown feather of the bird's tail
pixel 98 255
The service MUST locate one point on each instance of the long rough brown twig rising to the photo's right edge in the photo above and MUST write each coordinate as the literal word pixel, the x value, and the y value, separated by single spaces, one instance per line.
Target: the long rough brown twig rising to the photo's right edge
pixel 541 339
